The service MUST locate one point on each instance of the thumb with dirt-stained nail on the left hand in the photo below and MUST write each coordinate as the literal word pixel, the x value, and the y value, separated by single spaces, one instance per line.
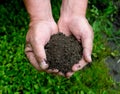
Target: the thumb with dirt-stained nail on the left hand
pixel 40 55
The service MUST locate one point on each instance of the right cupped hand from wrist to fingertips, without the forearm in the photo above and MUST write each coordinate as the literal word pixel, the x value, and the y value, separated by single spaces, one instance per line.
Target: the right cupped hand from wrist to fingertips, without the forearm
pixel 81 29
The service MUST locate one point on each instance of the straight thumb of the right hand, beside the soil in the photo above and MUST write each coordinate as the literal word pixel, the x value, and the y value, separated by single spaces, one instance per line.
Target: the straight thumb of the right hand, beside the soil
pixel 87 43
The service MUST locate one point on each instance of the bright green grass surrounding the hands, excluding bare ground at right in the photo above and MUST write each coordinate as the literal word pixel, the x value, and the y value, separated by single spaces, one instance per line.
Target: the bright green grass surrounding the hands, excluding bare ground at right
pixel 18 76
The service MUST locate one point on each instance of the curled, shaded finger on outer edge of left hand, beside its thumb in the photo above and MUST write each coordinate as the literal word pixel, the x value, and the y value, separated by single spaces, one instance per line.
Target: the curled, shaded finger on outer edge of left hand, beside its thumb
pixel 31 57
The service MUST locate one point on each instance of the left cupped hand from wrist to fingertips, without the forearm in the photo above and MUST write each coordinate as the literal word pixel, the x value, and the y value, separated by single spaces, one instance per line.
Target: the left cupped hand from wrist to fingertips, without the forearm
pixel 37 37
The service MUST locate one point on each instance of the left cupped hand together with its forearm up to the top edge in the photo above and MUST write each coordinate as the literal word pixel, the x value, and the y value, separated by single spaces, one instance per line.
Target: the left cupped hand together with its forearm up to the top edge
pixel 41 28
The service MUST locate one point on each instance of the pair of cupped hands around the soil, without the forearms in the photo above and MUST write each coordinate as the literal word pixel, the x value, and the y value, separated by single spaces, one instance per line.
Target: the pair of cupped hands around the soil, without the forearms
pixel 40 32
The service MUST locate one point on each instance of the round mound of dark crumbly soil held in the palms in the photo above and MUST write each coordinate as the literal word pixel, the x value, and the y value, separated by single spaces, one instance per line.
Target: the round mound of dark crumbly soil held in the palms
pixel 63 52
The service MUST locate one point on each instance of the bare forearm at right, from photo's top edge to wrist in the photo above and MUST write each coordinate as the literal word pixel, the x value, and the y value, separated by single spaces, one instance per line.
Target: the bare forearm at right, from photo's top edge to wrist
pixel 74 7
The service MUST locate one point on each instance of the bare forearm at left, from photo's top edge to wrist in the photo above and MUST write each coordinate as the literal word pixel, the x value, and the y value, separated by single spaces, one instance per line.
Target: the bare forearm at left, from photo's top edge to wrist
pixel 39 9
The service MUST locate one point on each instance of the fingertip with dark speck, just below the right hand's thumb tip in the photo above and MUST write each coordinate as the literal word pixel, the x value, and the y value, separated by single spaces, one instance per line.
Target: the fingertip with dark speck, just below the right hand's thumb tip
pixel 82 63
